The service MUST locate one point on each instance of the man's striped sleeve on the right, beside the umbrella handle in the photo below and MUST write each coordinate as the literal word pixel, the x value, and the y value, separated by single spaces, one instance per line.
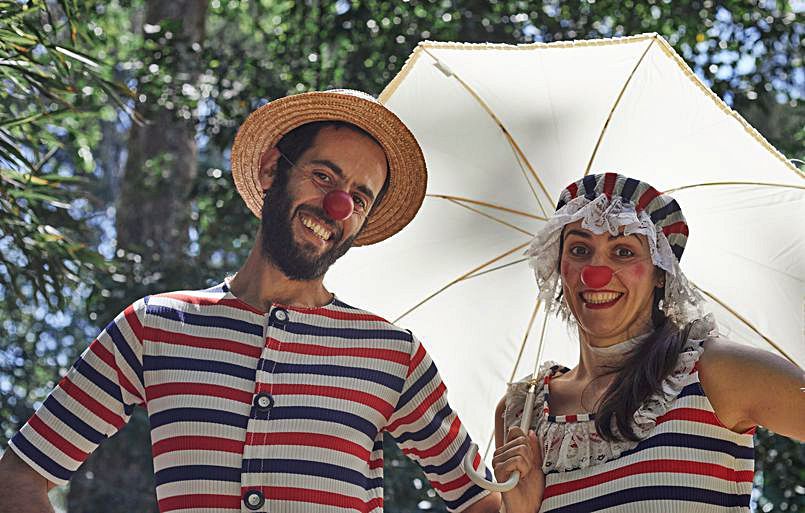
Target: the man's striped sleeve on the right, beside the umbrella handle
pixel 430 433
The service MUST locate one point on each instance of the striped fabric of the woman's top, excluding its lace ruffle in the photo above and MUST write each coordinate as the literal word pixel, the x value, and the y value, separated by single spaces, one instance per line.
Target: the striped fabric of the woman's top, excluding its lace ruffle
pixel 689 462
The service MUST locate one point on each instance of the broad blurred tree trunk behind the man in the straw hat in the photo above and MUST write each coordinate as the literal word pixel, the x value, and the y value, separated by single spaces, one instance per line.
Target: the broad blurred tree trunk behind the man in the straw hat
pixel 153 218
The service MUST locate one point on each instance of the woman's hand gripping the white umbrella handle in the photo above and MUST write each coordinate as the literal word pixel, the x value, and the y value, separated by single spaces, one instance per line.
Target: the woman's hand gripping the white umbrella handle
pixel 521 452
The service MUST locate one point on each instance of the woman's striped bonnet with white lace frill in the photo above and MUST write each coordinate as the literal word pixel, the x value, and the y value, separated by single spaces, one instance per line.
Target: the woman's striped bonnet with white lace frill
pixel 605 203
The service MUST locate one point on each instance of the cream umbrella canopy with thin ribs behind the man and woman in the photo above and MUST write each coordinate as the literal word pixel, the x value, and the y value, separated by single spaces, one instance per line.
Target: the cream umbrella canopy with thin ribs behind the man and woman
pixel 504 129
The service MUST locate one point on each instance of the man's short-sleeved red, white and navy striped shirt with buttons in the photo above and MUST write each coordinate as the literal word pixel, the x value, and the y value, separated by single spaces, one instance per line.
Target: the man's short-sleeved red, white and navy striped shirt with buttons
pixel 283 411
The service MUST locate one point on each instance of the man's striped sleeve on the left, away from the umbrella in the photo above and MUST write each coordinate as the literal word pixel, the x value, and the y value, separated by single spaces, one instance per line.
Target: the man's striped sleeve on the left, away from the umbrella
pixel 91 402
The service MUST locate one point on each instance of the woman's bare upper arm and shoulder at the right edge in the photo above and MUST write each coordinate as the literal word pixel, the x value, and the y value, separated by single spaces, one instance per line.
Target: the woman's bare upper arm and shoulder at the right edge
pixel 749 387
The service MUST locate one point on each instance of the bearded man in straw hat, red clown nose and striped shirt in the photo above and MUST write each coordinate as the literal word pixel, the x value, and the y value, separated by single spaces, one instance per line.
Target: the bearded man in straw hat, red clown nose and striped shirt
pixel 266 393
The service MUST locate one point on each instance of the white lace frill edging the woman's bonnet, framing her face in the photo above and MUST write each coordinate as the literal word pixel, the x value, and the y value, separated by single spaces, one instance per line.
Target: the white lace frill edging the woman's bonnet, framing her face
pixel 681 304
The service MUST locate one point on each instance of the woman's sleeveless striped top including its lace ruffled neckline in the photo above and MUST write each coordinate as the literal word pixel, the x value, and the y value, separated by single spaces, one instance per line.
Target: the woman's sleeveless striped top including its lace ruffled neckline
pixel 688 461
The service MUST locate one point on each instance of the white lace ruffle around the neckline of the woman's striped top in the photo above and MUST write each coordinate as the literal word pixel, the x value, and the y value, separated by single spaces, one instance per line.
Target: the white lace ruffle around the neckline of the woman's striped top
pixel 575 445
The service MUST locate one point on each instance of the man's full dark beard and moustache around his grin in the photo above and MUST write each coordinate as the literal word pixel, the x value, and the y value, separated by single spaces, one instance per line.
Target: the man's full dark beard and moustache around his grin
pixel 278 245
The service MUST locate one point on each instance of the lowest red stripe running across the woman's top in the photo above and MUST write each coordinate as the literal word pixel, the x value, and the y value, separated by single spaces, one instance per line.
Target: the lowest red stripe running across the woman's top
pixel 651 467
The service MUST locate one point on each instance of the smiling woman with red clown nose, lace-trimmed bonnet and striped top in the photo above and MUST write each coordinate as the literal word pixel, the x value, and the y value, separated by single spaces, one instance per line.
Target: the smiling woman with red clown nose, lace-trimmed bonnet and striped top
pixel 658 414
